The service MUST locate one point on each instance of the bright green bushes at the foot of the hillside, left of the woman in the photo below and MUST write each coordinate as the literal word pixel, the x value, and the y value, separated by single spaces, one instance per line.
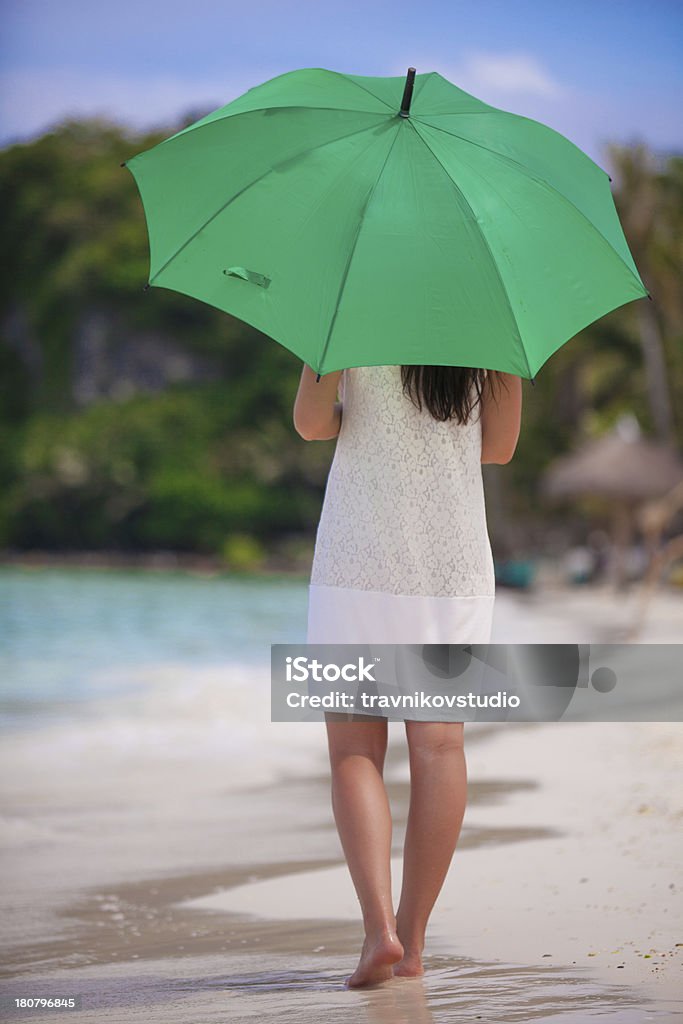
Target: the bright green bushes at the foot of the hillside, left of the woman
pixel 149 473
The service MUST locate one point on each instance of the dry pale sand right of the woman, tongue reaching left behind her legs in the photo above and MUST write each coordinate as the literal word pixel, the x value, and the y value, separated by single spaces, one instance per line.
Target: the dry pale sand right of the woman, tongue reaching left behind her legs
pixel 592 881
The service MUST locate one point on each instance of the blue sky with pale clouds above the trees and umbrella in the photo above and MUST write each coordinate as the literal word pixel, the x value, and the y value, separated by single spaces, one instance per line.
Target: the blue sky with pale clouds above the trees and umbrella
pixel 596 71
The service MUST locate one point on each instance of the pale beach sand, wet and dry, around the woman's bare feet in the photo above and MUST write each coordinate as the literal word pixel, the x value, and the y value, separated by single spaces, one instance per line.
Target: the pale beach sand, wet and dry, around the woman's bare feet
pixel 564 899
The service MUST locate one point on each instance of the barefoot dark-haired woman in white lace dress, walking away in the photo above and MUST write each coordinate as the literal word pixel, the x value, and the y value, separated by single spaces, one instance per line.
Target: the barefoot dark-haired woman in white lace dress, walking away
pixel 403 557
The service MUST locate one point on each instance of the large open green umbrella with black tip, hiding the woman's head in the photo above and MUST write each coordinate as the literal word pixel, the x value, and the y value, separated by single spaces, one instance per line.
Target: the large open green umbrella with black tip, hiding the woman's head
pixel 366 222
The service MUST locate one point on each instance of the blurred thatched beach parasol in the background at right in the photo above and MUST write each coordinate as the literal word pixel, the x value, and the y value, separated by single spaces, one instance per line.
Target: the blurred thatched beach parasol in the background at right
pixel 622 467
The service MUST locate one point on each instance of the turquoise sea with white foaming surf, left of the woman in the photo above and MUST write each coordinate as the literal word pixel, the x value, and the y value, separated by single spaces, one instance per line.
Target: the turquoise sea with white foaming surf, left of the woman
pixel 137 682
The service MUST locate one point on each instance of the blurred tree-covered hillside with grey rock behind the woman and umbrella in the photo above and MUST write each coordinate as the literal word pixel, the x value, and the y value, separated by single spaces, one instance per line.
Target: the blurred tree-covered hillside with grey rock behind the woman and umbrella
pixel 141 421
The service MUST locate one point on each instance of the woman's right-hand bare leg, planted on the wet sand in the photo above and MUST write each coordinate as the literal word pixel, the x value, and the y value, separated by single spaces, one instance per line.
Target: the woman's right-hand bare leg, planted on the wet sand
pixel 439 796
